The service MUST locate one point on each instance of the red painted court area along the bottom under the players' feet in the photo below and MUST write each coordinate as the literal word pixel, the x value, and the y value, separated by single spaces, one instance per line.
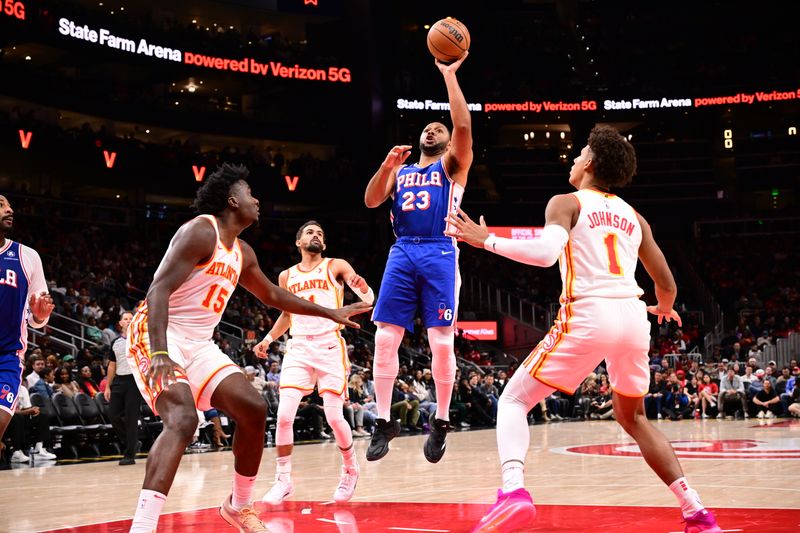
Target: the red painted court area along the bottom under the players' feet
pixel 443 518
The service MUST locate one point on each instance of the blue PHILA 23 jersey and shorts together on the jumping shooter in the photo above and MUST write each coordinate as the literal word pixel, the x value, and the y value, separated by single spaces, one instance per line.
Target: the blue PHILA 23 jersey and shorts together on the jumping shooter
pixel 422 269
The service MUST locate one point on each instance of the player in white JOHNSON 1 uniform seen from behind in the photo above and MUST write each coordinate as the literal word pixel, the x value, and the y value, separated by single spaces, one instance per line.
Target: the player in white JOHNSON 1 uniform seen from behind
pixel 597 238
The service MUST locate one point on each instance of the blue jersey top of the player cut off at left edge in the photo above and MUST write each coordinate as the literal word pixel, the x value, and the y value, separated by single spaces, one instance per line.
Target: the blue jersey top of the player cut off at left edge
pixel 13 299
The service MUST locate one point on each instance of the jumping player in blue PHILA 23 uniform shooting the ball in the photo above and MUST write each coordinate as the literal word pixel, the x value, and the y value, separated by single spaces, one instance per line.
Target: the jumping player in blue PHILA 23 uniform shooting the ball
pixel 422 270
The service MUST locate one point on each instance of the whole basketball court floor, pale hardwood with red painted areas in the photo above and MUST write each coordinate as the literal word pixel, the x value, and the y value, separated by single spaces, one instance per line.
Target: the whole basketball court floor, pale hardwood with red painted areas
pixel 583 476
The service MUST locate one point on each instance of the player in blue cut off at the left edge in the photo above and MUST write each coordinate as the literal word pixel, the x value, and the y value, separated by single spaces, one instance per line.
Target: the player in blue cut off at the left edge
pixel 23 300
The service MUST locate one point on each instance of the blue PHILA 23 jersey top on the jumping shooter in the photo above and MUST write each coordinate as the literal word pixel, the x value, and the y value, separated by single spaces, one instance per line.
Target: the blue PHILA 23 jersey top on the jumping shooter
pixel 422 199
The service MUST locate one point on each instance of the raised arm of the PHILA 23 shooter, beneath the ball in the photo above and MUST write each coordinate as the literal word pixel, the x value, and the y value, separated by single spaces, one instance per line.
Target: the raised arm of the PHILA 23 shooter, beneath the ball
pixel 459 157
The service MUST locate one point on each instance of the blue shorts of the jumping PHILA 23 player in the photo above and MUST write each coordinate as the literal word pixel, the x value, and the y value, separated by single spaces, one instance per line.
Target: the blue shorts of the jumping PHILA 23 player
pixel 421 275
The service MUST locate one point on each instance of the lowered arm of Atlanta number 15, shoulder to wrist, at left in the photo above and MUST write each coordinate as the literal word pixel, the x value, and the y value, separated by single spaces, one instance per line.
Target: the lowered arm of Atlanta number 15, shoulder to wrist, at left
pixel 192 245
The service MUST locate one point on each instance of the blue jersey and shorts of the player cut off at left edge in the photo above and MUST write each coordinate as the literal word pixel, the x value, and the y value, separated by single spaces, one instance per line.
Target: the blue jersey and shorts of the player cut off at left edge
pixel 13 330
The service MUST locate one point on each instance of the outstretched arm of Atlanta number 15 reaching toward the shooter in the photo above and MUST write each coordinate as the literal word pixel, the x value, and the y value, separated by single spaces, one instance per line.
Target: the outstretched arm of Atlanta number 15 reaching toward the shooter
pixel 254 280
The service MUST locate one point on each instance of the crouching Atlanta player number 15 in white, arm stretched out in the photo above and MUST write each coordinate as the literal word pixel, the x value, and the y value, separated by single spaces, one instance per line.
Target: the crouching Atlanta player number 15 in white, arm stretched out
pixel 176 364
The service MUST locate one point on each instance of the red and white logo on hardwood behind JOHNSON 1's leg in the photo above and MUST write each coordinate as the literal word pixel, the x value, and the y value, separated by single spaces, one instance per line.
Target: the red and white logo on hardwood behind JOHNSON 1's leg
pixel 700 449
